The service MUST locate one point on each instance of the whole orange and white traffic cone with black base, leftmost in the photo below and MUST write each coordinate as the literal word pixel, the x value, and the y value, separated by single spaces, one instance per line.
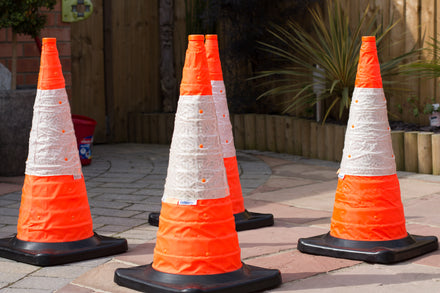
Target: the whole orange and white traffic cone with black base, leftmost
pixel 54 223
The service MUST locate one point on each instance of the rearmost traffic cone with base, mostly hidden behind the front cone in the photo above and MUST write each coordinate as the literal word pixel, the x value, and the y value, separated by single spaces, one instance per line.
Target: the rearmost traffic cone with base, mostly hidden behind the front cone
pixel 244 220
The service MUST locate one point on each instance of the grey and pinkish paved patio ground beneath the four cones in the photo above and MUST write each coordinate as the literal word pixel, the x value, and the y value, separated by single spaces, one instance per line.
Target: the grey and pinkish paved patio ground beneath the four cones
pixel 125 183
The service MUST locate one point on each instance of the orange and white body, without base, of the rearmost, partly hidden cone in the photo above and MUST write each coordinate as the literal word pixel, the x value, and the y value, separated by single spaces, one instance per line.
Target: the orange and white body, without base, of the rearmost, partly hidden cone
pixel 224 123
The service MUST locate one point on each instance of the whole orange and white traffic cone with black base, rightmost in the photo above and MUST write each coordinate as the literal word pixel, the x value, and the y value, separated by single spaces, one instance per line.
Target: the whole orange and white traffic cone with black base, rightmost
pixel 368 220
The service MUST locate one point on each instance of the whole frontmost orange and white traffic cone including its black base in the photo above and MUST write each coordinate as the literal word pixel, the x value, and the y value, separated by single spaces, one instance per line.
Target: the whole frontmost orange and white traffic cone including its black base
pixel 197 246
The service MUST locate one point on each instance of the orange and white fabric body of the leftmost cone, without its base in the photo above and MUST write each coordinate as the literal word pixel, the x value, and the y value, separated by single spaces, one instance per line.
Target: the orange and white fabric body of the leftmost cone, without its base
pixel 54 205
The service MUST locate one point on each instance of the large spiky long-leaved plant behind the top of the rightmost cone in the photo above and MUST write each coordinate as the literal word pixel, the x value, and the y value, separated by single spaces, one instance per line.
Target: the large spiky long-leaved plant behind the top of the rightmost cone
pixel 333 45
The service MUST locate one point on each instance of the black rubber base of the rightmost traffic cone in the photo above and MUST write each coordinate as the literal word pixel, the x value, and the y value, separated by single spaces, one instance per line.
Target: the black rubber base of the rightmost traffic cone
pixel 384 252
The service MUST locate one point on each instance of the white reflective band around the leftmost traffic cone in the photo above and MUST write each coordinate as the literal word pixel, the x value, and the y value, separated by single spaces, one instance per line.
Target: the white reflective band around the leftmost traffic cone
pixel 52 143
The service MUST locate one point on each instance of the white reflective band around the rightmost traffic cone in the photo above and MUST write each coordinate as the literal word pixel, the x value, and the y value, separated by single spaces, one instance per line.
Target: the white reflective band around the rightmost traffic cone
pixel 368 148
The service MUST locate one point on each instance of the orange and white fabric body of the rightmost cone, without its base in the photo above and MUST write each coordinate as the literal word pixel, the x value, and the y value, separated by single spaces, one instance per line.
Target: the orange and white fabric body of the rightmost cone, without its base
pixel 367 204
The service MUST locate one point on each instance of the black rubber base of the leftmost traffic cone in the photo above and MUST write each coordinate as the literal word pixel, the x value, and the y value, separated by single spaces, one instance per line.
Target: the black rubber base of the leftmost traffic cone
pixel 49 254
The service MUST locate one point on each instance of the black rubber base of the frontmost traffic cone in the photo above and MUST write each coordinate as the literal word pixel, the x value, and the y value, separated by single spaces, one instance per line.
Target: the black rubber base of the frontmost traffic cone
pixel 247 279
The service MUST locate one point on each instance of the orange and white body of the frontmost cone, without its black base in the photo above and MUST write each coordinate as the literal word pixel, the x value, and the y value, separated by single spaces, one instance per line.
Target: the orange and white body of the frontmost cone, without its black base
pixel 196 233
